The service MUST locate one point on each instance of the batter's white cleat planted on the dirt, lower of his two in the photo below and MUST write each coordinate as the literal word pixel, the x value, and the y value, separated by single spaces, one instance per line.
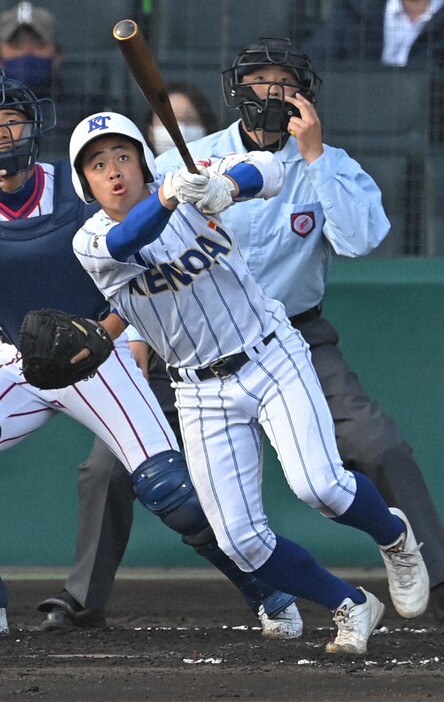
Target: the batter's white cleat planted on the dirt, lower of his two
pixel 355 623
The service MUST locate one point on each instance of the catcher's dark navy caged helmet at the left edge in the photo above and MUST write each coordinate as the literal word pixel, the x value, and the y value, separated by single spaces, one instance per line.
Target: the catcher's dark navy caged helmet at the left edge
pixel 40 117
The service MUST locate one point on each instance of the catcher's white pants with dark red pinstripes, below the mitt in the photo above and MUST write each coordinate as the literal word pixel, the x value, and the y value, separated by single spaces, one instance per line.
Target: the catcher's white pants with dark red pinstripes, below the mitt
pixel 116 404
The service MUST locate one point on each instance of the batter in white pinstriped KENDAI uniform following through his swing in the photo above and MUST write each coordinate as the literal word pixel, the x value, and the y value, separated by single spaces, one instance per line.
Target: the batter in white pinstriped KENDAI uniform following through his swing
pixel 238 366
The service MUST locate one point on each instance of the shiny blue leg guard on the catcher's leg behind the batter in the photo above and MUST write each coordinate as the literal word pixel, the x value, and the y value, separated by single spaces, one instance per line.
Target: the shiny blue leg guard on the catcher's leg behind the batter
pixel 163 486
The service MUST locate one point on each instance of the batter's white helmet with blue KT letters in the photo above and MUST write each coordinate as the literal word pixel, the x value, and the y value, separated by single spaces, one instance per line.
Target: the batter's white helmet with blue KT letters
pixel 104 124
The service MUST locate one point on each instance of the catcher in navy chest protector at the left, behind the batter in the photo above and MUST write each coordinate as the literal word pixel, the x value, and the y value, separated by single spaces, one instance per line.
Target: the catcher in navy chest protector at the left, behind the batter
pixel 38 210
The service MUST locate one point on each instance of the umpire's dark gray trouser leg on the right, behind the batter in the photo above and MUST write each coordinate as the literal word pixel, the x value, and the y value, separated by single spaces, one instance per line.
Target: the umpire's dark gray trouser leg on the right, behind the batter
pixel 370 442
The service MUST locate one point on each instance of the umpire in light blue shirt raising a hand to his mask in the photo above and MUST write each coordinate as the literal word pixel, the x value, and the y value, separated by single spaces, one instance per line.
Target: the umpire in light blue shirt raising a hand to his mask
pixel 328 204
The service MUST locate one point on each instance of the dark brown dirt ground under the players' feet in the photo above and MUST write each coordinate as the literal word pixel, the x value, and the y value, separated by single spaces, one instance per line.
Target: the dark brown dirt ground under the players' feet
pixel 186 638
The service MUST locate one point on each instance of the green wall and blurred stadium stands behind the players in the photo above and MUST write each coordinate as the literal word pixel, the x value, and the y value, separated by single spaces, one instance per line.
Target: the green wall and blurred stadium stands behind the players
pixel 388 307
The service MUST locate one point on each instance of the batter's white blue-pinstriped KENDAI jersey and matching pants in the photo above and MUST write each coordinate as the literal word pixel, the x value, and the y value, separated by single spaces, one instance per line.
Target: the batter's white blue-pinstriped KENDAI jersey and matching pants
pixel 192 296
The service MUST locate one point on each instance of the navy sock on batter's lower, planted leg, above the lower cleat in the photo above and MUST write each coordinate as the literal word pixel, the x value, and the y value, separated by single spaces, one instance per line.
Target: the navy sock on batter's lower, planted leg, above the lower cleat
pixel 291 568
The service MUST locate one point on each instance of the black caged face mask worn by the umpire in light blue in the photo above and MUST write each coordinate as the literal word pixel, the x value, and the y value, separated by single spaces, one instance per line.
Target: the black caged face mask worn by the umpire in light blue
pixel 271 114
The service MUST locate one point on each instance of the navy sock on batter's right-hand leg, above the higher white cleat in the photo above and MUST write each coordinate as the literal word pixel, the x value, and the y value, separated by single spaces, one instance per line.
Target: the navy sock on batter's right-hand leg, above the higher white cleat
pixel 369 512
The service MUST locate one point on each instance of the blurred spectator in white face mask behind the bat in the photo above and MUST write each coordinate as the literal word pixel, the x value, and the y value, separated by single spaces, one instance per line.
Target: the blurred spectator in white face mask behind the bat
pixel 193 112
